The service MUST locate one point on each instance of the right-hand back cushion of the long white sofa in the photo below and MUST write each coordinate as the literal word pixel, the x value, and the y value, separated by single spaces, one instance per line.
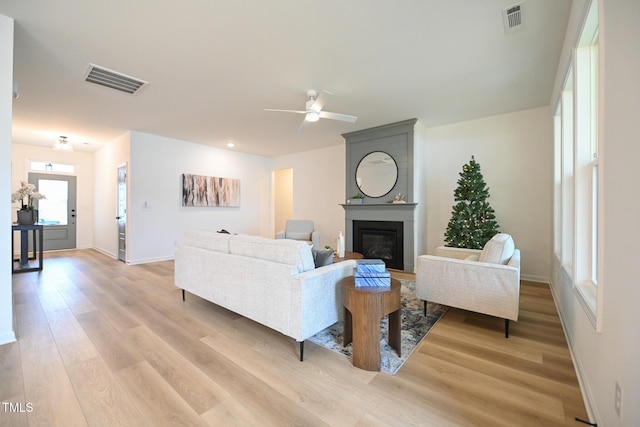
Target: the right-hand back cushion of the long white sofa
pixel 290 252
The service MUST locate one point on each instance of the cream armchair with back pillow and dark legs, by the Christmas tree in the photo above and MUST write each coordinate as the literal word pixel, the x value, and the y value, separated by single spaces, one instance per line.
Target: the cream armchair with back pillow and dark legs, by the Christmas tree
pixel 484 281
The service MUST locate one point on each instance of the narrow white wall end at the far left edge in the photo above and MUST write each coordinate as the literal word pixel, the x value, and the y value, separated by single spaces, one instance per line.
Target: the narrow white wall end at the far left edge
pixel 6 98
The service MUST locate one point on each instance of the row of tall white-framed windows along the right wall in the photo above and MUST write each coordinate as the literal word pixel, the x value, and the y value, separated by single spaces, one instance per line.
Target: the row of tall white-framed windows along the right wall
pixel 577 201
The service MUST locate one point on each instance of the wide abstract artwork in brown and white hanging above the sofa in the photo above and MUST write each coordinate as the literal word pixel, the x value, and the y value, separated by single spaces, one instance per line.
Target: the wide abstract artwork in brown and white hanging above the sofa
pixel 200 190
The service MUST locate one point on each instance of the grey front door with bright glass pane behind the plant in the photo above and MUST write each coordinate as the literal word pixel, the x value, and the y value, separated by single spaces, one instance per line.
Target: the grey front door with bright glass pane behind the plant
pixel 57 212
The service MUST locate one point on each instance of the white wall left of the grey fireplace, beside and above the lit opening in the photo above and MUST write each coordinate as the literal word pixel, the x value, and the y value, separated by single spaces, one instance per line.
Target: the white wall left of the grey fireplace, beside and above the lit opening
pixel 318 188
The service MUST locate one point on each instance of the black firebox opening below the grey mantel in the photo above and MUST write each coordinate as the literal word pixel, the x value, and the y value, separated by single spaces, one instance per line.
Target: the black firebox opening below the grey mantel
pixel 380 240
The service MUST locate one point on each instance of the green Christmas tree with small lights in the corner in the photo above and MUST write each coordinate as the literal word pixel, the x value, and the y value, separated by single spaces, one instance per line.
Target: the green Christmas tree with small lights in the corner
pixel 472 222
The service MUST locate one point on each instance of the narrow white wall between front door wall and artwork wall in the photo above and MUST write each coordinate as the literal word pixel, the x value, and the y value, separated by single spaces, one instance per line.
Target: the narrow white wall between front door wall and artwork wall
pixel 106 163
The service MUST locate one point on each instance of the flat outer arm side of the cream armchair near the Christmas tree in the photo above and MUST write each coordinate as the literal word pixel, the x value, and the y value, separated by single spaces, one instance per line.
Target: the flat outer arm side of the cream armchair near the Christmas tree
pixel 492 289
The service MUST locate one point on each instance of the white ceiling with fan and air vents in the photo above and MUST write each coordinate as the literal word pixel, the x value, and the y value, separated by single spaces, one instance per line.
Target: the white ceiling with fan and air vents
pixel 213 66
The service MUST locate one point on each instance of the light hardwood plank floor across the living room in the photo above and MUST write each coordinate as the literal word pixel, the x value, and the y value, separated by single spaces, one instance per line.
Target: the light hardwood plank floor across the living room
pixel 103 343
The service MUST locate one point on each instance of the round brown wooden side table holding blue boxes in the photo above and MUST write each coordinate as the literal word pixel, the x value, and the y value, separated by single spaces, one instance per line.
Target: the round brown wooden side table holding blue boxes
pixel 363 309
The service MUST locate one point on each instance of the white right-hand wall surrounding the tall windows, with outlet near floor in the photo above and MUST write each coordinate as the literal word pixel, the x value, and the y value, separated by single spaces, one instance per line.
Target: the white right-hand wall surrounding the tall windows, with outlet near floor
pixel 604 358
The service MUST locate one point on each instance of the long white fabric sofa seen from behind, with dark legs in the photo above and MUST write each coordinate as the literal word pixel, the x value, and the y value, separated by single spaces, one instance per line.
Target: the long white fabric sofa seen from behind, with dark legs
pixel 273 282
